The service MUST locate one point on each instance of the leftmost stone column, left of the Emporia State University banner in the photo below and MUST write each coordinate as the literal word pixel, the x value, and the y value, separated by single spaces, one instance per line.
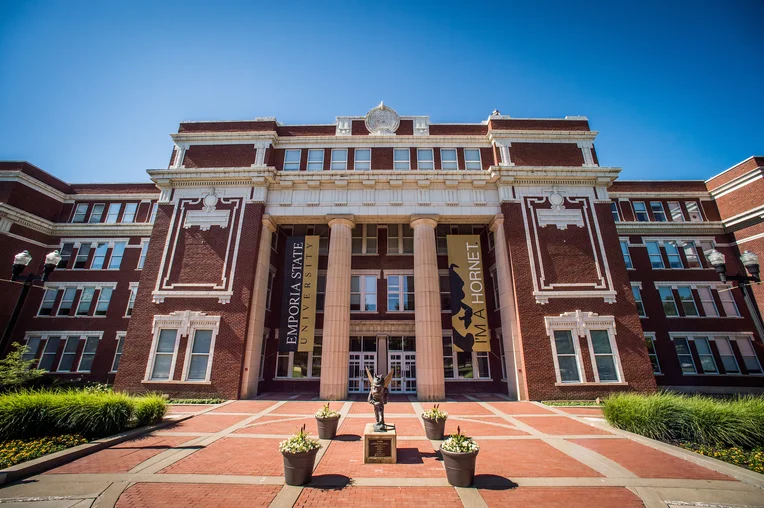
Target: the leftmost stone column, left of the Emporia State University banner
pixel 256 326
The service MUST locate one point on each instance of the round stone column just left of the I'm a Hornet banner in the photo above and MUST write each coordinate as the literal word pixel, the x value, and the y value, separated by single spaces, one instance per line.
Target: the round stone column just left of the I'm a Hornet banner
pixel 430 381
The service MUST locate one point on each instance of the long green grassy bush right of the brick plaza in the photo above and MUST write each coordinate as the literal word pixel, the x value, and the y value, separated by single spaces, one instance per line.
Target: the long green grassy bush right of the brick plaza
pixel 698 419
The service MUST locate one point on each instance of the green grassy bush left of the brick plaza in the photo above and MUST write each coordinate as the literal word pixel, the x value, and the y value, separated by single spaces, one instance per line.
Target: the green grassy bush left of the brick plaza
pixel 35 413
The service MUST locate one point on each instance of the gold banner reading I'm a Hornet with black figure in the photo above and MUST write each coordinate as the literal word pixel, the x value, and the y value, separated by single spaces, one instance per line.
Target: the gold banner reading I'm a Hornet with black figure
pixel 469 315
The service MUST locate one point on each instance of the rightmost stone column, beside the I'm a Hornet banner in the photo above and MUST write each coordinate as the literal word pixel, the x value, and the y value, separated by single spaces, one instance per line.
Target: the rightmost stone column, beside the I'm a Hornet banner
pixel 510 328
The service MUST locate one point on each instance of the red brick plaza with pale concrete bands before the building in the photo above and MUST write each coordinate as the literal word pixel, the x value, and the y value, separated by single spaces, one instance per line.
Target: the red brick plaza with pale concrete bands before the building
pixel 531 455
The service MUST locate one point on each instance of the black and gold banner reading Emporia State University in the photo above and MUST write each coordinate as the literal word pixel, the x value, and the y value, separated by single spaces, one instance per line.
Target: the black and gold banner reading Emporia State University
pixel 298 305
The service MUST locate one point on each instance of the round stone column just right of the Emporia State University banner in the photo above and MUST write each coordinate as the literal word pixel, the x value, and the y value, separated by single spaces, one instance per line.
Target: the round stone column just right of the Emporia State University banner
pixel 335 353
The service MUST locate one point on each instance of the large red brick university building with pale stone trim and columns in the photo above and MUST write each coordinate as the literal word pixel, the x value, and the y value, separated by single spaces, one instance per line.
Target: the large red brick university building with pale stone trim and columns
pixel 591 284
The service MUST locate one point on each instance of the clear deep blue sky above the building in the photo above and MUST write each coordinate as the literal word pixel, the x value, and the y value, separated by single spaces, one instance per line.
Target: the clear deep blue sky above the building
pixel 90 91
